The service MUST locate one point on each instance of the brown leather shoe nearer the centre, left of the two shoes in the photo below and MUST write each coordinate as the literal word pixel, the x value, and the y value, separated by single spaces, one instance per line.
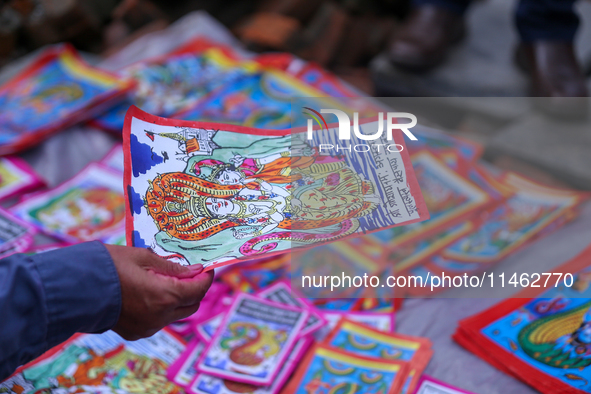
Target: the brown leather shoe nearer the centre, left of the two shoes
pixel 425 38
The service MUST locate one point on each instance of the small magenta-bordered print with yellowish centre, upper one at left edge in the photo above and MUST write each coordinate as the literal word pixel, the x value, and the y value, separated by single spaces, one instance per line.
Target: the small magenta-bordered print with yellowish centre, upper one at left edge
pixel 17 177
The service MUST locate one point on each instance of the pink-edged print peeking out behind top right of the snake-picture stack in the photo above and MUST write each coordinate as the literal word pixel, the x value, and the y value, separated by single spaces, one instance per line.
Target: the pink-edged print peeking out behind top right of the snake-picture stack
pixel 281 293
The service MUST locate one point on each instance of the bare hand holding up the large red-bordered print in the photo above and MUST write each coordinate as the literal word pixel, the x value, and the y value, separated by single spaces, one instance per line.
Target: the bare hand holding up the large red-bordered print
pixel 155 292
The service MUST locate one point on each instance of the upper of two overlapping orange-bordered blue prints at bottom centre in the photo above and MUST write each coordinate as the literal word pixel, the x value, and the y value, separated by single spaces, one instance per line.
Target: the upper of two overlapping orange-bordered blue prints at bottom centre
pixel 365 341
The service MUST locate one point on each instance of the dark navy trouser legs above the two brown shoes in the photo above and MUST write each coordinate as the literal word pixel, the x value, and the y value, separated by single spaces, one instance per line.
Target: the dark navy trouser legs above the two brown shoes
pixel 536 20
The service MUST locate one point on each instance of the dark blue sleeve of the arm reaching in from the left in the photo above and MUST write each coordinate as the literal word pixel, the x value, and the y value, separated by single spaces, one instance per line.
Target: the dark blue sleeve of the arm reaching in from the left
pixel 47 297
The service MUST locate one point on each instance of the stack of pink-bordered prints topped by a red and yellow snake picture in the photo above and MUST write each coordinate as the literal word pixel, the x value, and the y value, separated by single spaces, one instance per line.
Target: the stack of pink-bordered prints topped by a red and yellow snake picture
pixel 254 343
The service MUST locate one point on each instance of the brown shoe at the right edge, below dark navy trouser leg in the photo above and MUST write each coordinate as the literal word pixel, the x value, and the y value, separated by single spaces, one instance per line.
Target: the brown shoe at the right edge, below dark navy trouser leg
pixel 556 77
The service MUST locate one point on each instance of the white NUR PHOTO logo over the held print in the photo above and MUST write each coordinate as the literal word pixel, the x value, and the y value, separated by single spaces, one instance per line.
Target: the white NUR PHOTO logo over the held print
pixel 344 130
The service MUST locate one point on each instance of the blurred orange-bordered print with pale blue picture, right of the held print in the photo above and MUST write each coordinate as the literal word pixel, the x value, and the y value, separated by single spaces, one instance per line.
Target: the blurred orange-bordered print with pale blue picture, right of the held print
pixel 531 210
